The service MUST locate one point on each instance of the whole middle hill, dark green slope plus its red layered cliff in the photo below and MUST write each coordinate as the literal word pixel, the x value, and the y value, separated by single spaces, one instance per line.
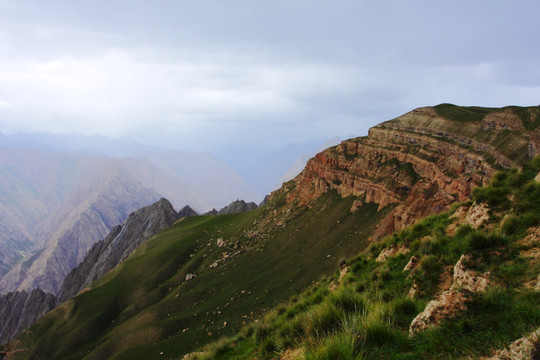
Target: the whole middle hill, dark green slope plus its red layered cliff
pixel 206 276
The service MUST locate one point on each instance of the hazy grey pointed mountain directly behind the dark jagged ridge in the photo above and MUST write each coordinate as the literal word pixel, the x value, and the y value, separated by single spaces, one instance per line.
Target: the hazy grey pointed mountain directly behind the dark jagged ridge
pixel 93 208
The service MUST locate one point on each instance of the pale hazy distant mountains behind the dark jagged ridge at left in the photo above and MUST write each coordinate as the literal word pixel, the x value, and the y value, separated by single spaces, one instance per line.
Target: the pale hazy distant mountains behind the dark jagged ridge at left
pixel 55 206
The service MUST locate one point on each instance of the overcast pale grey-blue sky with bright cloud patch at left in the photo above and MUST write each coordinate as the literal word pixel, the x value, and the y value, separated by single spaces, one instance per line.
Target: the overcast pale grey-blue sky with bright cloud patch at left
pixel 203 74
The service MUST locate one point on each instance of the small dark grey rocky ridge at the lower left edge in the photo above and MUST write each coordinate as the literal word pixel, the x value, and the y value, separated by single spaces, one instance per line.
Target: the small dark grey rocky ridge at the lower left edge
pixel 20 309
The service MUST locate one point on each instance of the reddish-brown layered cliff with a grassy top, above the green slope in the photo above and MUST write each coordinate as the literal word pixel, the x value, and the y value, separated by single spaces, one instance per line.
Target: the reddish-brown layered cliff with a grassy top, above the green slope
pixel 420 162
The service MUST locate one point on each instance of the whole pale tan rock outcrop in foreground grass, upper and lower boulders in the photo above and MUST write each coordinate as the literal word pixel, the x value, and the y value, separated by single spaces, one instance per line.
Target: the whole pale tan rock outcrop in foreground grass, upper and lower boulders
pixel 465 283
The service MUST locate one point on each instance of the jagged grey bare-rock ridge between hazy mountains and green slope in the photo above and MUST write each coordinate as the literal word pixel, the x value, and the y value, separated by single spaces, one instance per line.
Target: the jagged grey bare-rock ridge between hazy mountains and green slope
pixel 140 226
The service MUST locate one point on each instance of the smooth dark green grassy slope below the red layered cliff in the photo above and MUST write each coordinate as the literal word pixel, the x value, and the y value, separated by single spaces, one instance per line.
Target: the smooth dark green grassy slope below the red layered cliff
pixel 145 307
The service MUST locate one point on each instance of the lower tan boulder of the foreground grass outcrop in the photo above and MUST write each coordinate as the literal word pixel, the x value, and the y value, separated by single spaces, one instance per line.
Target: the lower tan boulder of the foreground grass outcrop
pixel 444 305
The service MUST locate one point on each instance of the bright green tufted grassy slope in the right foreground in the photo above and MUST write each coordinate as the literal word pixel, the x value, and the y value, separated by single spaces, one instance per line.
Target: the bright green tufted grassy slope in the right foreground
pixel 368 315
